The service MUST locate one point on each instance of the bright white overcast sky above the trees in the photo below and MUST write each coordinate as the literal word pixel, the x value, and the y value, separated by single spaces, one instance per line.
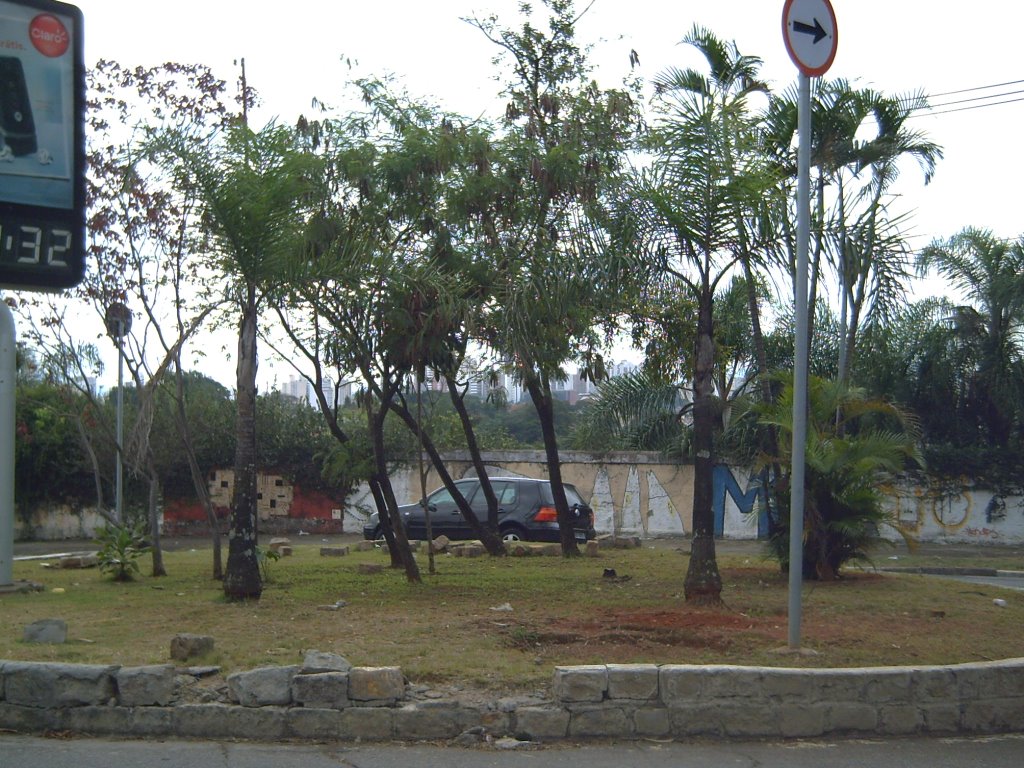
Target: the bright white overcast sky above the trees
pixel 293 54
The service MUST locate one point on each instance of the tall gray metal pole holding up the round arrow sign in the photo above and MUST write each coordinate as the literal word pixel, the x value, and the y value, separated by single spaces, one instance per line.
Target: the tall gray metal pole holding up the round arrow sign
pixel 799 453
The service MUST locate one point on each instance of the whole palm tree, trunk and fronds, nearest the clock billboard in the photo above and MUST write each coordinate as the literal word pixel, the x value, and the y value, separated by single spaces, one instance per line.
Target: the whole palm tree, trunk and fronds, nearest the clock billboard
pixel 252 189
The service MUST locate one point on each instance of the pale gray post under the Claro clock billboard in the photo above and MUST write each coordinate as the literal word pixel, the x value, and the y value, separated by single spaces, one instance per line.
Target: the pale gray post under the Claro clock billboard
pixel 9 385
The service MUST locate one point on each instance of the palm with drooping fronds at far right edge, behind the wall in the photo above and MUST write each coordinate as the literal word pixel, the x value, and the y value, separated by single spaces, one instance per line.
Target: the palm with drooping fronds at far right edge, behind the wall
pixel 989 274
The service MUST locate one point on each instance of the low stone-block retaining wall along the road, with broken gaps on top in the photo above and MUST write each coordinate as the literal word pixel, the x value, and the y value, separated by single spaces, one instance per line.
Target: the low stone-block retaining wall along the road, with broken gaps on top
pixel 612 701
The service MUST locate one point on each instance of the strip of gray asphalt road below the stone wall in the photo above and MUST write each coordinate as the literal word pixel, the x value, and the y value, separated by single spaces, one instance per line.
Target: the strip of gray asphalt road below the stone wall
pixel 993 752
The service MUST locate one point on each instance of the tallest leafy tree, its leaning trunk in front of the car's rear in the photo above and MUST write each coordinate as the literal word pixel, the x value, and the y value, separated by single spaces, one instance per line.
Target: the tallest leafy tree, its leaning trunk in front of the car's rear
pixel 535 214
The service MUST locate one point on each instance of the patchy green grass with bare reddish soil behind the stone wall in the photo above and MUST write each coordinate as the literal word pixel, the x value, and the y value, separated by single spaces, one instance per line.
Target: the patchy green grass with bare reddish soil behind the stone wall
pixel 564 613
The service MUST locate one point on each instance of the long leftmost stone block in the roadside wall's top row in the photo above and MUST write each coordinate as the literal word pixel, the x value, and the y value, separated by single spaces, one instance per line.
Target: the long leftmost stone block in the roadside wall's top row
pixel 58 686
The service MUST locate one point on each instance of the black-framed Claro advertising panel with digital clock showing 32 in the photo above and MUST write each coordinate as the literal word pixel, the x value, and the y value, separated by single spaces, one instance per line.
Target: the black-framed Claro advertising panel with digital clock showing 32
pixel 42 146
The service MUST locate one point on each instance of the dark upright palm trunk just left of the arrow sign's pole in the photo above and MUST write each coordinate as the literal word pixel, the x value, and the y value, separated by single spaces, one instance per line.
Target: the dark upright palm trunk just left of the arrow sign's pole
pixel 704 584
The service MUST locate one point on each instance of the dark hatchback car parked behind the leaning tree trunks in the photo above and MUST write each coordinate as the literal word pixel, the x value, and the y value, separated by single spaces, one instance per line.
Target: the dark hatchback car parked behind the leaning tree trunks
pixel 526 513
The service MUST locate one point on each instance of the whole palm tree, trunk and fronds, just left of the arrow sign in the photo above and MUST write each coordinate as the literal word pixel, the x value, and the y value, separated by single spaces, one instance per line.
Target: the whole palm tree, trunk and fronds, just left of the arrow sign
pixel 687 215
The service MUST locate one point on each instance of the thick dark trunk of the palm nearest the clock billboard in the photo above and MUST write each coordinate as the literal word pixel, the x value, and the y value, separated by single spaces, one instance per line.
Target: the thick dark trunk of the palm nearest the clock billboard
pixel 242 580
